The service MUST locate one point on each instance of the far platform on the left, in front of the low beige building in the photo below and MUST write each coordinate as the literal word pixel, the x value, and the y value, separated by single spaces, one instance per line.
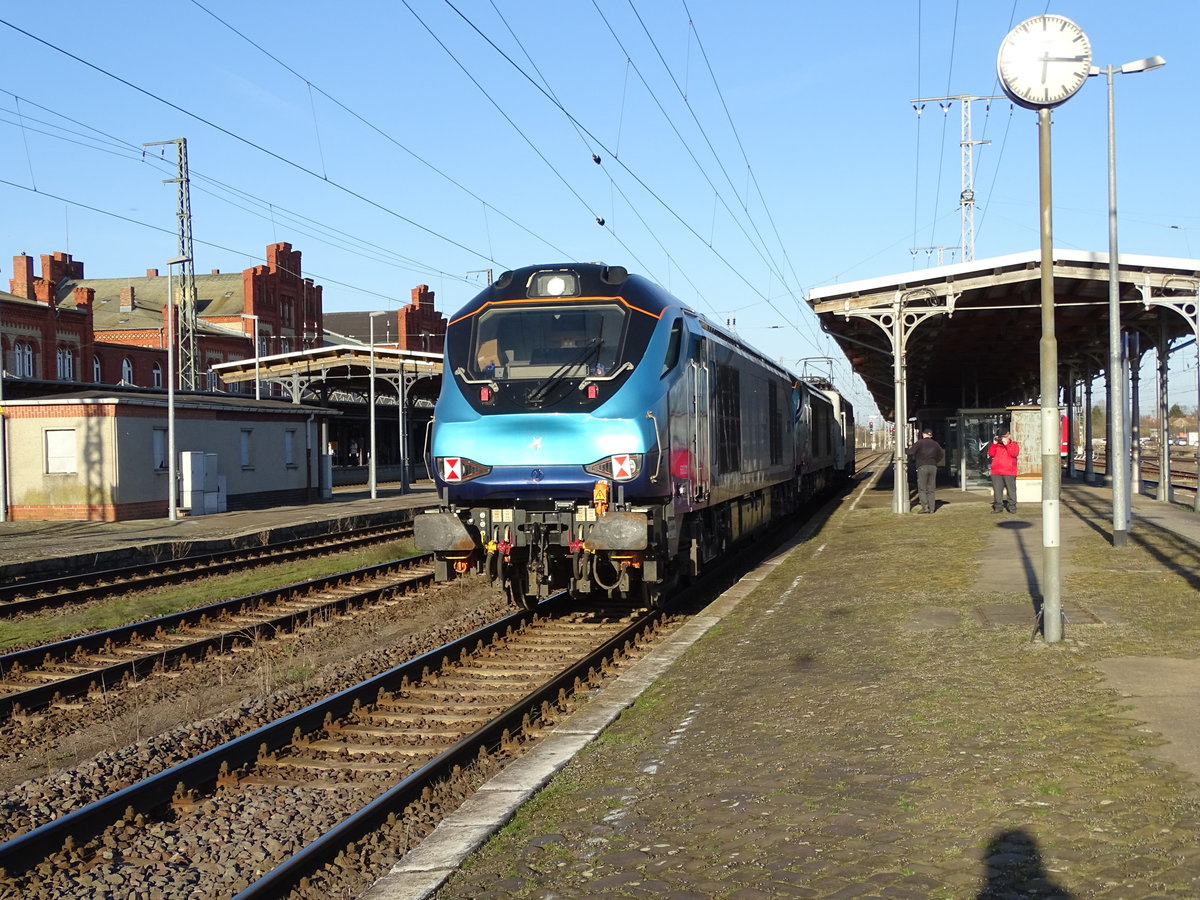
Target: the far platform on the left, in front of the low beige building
pixel 46 549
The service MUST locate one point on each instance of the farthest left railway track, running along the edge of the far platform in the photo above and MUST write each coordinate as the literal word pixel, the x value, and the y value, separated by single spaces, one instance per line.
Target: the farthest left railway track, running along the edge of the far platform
pixel 26 597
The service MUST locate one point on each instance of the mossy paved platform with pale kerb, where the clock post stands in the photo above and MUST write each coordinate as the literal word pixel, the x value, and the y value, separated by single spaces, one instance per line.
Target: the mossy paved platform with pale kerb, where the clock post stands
pixel 874 715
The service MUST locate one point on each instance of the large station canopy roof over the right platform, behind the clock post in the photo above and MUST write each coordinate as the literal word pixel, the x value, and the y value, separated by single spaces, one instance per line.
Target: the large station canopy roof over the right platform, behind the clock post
pixel 970 333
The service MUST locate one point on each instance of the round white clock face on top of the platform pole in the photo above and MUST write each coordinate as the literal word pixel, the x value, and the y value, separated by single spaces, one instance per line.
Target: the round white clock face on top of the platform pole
pixel 1043 62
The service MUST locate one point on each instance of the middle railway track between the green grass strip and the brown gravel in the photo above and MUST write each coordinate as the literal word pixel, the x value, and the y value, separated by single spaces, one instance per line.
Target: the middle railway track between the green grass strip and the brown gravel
pixel 73 671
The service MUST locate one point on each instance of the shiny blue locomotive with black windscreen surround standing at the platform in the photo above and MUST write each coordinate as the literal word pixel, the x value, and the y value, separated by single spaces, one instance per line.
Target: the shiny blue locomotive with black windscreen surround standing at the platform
pixel 595 434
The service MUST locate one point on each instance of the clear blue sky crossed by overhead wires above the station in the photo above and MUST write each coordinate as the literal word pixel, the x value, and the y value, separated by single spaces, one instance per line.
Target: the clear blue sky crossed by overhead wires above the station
pixel 748 152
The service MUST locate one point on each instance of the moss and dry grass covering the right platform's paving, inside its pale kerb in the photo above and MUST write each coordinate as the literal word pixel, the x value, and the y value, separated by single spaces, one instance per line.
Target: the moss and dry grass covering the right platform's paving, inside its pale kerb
pixel 821 730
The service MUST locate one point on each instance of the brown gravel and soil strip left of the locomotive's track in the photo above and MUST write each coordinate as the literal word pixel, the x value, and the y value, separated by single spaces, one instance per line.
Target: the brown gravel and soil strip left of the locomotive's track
pixel 104 746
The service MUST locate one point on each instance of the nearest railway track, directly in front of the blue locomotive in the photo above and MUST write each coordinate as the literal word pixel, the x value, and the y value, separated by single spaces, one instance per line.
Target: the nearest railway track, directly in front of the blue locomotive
pixel 304 800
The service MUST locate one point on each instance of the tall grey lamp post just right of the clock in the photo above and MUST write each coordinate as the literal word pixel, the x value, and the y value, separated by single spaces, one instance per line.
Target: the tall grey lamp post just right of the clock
pixel 1119 454
